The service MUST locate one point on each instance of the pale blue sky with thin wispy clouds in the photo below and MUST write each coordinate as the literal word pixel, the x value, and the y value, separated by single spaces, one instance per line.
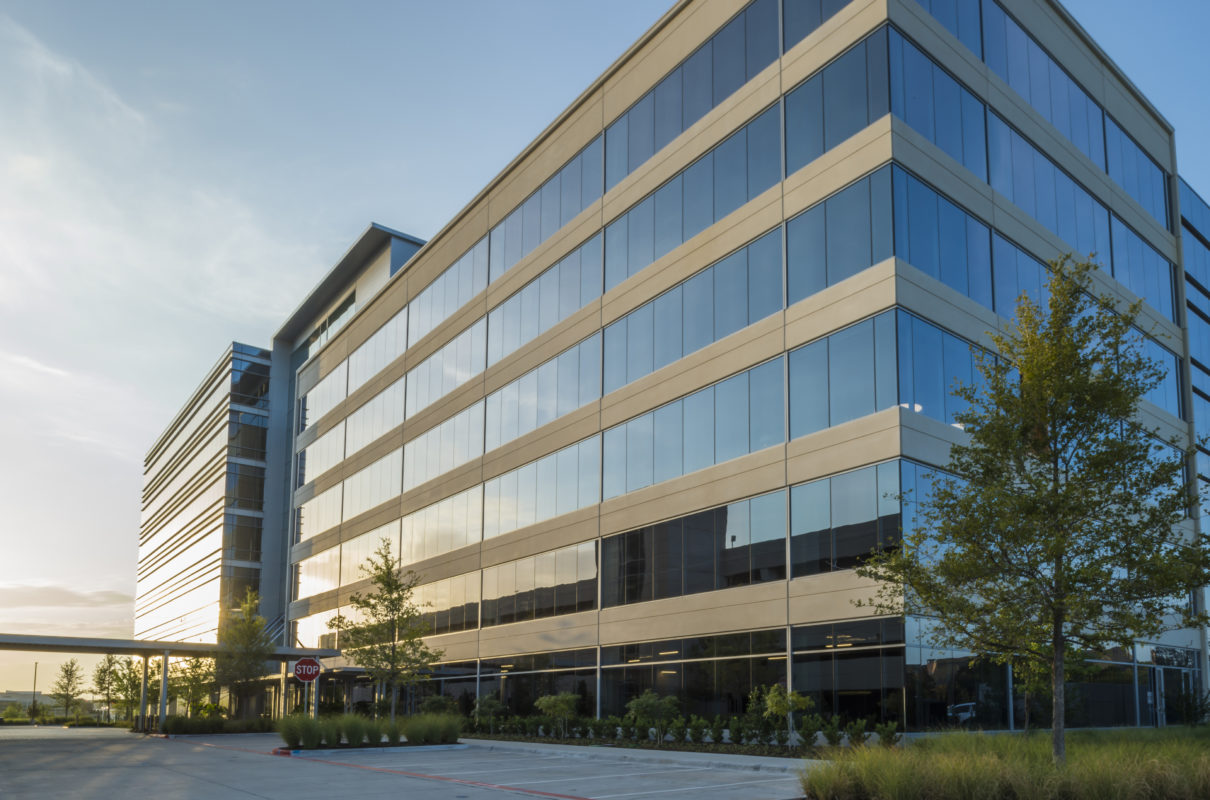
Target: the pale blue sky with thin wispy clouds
pixel 176 176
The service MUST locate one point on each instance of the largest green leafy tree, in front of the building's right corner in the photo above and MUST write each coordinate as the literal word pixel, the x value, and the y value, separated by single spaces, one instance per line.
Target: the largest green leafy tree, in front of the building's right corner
pixel 1061 527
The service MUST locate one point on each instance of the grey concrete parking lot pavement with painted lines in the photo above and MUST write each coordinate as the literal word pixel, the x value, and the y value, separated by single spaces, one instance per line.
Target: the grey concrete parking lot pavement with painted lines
pixel 103 764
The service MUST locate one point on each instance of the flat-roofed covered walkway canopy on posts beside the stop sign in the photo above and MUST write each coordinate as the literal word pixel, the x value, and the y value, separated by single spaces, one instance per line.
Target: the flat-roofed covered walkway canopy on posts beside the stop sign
pixel 147 649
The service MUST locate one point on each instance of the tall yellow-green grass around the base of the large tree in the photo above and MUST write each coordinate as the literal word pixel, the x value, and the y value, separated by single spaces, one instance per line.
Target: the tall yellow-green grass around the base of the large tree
pixel 1167 764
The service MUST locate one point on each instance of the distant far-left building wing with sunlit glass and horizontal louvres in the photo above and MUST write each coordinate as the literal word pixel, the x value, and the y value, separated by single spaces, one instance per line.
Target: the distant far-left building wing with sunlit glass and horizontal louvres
pixel 204 539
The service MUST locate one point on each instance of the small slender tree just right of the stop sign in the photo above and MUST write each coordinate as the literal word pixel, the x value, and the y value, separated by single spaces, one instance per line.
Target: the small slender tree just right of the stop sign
pixel 387 637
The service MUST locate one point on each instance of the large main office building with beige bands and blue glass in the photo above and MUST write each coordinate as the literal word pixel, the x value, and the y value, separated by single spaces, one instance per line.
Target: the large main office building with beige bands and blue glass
pixel 638 411
